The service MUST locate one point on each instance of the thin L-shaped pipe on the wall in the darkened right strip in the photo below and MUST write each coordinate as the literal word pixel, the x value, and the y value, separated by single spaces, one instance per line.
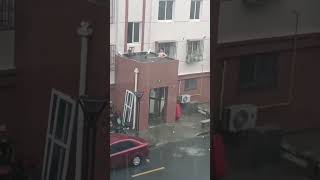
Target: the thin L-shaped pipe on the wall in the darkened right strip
pixel 293 66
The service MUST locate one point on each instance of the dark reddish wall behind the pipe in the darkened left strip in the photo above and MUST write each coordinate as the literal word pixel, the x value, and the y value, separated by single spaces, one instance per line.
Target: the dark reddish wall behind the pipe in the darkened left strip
pixel 48 56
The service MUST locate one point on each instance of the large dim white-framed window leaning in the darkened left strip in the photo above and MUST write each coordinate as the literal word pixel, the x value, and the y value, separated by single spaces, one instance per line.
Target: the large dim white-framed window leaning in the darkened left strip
pixel 59 136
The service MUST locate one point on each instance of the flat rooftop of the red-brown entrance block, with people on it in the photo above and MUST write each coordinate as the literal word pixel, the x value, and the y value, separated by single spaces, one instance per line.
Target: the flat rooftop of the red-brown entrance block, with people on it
pixel 147 58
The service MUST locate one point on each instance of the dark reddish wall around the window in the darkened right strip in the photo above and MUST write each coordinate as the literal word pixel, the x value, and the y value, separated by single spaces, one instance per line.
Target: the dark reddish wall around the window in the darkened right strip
pixel 301 111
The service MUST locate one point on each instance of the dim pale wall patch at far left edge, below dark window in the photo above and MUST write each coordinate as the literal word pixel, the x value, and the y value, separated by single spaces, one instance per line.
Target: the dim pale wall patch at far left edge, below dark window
pixel 7 50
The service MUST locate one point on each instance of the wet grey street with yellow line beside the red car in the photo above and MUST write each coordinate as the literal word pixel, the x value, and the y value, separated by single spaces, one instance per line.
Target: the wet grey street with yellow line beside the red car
pixel 184 160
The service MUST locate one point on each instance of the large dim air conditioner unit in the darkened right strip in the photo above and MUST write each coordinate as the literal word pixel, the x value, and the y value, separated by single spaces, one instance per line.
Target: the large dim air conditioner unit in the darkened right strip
pixel 240 117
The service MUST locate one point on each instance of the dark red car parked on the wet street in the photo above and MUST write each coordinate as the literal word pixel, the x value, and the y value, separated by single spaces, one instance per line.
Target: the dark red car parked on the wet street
pixel 127 150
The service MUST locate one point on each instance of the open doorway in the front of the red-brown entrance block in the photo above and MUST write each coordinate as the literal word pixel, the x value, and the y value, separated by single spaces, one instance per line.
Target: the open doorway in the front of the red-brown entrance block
pixel 157 105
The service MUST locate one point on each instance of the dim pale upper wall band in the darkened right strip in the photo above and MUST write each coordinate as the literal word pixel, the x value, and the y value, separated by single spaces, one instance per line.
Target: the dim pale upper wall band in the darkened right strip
pixel 274 18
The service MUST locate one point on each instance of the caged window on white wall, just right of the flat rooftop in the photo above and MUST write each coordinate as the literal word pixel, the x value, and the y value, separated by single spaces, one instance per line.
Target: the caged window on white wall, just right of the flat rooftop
pixel 194 51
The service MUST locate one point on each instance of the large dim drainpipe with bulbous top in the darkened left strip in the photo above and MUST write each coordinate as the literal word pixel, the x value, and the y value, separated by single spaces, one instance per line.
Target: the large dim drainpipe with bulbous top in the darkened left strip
pixel 85 32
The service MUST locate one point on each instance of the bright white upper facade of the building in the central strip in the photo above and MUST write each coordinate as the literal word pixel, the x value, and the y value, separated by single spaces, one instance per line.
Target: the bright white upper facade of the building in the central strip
pixel 180 29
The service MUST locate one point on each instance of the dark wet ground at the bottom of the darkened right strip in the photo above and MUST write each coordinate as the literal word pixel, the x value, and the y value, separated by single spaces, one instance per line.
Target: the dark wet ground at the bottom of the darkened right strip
pixel 247 164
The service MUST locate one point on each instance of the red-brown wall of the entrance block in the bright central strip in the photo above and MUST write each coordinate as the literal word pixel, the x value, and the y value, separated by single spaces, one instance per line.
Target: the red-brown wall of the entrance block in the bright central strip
pixel 150 76
